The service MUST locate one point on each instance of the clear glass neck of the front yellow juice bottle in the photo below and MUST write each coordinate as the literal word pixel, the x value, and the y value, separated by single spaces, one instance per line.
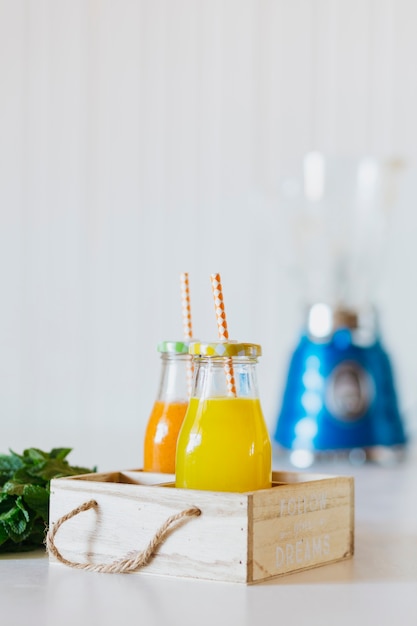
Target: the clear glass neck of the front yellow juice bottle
pixel 212 377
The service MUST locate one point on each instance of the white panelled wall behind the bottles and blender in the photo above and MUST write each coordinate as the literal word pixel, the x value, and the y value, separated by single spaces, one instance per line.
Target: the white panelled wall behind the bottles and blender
pixel 144 138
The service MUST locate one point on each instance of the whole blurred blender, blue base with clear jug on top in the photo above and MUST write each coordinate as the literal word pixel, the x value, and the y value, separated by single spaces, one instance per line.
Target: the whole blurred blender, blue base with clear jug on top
pixel 340 394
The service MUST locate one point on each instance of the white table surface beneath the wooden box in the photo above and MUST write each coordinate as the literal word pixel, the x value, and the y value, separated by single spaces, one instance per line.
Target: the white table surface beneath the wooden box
pixel 377 586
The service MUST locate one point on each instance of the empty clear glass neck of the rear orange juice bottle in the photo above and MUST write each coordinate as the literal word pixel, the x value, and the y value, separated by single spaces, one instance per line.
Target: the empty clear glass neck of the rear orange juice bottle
pixel 173 378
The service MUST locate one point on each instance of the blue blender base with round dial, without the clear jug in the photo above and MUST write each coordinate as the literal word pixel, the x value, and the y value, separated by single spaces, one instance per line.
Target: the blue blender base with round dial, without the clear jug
pixel 340 395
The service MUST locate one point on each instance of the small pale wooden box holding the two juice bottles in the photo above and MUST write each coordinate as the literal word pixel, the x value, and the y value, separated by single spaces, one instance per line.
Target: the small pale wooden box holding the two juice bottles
pixel 302 521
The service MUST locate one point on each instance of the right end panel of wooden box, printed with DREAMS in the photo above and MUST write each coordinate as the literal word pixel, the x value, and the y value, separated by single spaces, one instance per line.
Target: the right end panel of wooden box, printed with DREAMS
pixel 299 526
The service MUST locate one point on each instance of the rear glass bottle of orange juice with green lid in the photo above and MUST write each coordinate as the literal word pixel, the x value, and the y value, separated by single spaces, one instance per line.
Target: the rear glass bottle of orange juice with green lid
pixel 169 408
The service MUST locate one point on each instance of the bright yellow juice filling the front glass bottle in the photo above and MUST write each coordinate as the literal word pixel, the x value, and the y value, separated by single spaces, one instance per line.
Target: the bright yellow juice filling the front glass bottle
pixel 224 445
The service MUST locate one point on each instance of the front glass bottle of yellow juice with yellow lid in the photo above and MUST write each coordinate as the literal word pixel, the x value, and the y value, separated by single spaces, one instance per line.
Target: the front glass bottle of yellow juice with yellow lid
pixel 224 443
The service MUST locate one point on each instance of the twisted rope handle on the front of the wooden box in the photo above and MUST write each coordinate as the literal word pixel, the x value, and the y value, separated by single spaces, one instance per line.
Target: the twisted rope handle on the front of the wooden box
pixel 131 562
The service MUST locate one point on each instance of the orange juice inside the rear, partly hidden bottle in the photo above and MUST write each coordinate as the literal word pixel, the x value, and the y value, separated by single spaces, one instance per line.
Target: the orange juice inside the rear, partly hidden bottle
pixel 161 436
